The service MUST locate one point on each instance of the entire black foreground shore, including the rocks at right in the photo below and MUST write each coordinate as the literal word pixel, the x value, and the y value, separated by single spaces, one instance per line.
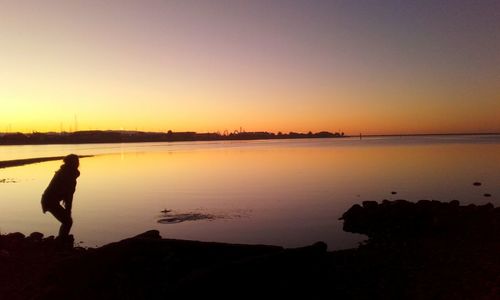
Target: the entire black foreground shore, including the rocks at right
pixel 424 250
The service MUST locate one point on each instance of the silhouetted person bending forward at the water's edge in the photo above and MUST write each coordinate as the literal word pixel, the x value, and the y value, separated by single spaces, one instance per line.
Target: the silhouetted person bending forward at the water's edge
pixel 61 188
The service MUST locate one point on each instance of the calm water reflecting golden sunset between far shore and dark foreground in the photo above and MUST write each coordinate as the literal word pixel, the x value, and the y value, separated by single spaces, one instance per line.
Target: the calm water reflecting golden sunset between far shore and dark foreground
pixel 287 192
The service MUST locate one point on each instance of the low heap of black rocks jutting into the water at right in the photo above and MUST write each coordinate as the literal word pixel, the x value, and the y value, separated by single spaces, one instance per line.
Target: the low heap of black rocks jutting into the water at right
pixel 402 219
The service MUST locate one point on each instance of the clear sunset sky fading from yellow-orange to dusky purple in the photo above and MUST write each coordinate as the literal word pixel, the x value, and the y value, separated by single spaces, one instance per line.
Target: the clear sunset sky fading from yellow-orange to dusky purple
pixel 371 67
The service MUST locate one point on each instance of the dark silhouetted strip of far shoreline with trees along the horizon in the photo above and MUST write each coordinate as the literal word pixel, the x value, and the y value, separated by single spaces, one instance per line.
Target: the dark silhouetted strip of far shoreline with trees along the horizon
pixel 112 136
